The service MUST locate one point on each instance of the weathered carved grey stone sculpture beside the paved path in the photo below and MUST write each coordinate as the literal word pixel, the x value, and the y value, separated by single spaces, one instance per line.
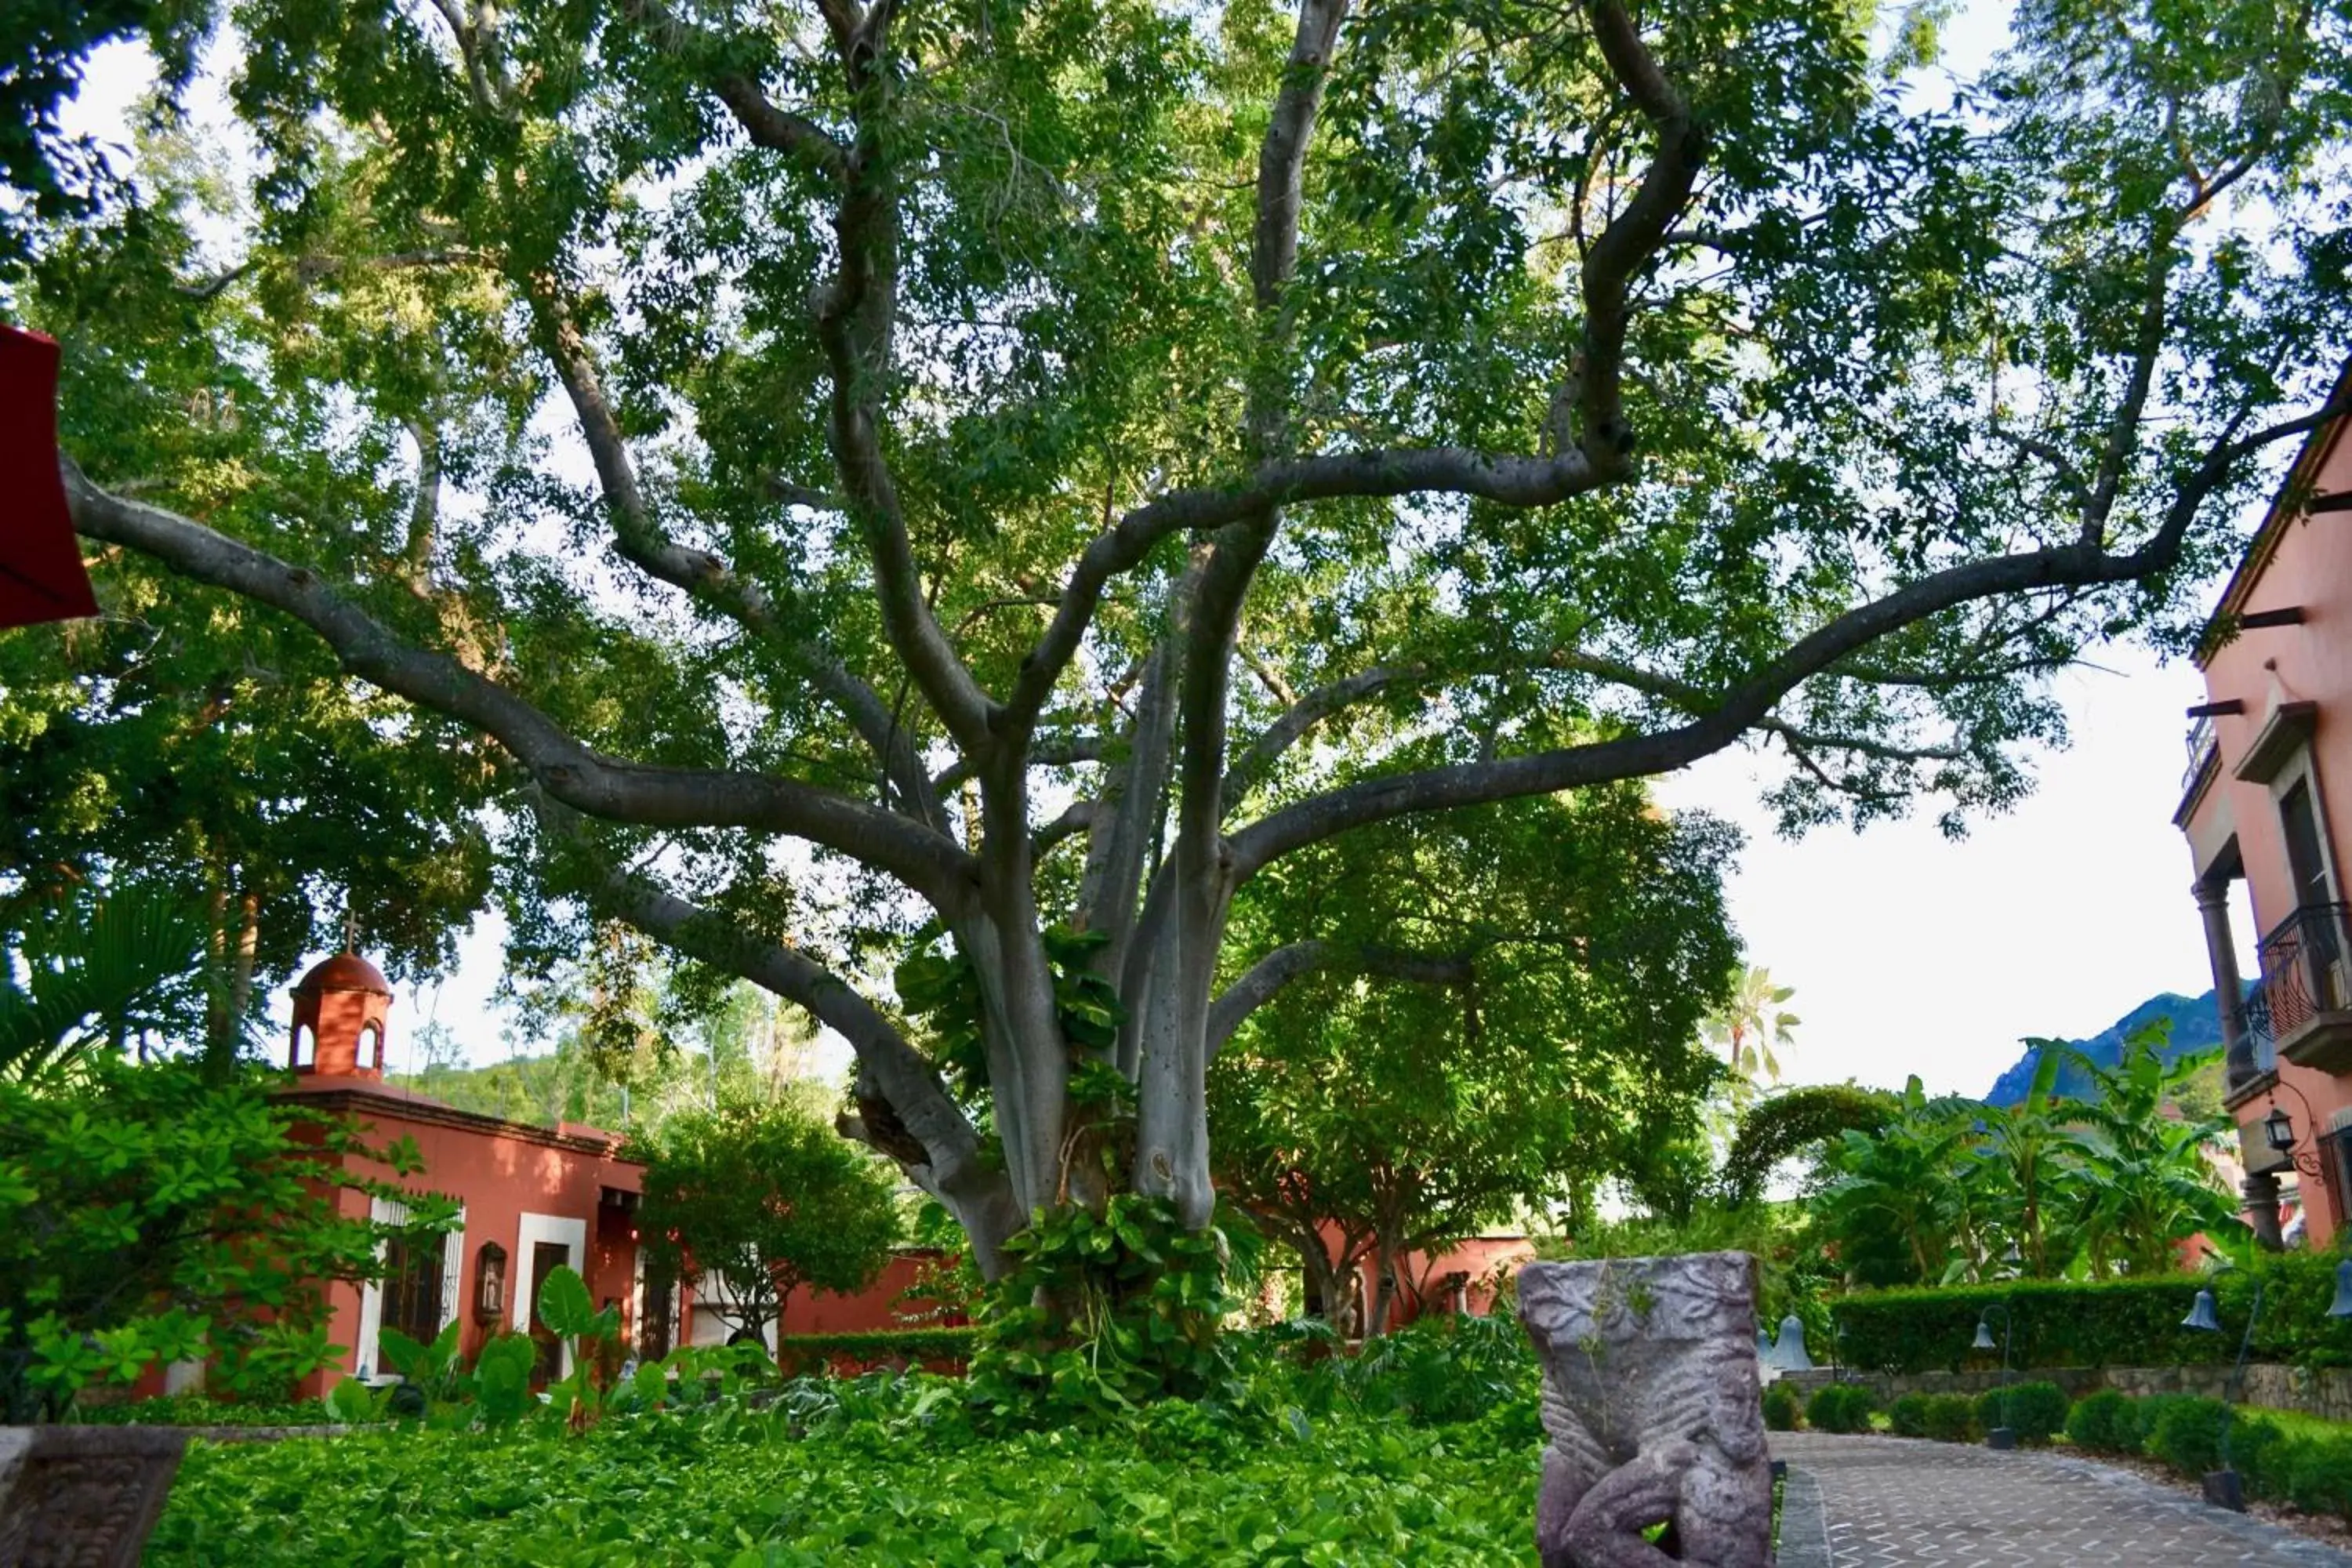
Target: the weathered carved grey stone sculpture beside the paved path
pixel 1655 1414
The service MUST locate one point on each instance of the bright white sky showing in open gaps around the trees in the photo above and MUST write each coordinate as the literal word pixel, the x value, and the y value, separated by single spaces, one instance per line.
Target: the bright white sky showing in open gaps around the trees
pixel 1909 953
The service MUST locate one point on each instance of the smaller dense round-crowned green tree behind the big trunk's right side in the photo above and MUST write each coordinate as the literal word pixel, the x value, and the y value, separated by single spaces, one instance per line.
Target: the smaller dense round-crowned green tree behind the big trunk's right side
pixel 1535 1038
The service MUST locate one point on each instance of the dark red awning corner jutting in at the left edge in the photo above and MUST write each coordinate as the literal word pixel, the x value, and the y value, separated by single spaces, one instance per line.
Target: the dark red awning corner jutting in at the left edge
pixel 41 568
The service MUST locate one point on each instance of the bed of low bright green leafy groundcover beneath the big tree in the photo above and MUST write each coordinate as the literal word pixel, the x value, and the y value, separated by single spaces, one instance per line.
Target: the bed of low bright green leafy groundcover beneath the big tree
pixel 742 1489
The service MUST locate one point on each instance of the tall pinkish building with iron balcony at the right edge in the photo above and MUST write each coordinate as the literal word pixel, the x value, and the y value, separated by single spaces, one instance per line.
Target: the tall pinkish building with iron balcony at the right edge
pixel 2269 800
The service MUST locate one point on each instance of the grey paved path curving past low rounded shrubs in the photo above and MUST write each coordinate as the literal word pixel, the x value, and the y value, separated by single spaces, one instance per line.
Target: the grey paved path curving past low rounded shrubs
pixel 1897 1503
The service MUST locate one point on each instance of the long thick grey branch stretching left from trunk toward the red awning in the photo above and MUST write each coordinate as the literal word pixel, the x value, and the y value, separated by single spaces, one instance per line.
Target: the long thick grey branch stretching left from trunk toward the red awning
pixel 570 772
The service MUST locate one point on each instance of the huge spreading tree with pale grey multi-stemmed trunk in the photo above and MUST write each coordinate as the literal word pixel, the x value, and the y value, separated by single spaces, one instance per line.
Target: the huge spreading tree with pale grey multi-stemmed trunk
pixel 1050 464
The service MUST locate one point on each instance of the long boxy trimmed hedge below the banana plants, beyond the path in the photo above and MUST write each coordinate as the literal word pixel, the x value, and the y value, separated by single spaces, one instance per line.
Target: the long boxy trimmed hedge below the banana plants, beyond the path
pixel 2125 1322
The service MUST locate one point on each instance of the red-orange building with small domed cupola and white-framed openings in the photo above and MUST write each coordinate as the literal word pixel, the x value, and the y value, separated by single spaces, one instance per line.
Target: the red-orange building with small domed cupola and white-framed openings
pixel 533 1198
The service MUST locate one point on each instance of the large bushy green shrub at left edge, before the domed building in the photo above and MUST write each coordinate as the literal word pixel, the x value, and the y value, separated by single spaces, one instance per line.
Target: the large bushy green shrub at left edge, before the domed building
pixel 152 1214
